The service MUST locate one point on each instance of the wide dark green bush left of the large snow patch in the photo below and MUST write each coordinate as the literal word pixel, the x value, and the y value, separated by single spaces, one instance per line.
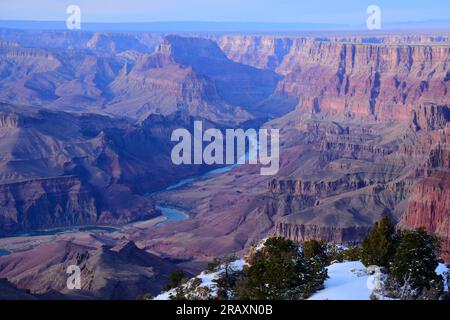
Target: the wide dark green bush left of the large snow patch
pixel 280 271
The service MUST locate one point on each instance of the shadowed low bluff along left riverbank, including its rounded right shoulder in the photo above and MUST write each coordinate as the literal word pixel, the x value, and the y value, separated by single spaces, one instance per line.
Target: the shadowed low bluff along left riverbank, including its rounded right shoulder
pixel 66 201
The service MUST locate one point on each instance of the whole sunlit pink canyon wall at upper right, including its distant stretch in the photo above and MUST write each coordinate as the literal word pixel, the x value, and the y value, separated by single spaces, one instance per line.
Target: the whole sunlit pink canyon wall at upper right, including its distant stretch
pixel 382 80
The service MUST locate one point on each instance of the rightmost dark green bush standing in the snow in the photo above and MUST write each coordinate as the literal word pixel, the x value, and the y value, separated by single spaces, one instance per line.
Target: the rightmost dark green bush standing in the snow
pixel 416 259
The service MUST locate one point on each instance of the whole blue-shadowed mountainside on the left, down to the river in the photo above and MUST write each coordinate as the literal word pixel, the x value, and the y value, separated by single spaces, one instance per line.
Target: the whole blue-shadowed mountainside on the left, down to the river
pixel 59 169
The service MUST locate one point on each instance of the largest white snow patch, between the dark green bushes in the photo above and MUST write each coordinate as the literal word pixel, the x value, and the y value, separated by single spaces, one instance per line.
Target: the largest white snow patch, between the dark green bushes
pixel 347 281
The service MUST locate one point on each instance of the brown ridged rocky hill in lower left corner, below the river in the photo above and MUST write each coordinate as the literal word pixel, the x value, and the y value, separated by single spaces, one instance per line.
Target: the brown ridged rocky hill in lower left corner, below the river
pixel 121 272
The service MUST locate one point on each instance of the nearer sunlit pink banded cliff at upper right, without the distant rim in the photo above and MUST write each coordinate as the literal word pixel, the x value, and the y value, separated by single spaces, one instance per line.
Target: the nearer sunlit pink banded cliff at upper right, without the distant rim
pixel 382 81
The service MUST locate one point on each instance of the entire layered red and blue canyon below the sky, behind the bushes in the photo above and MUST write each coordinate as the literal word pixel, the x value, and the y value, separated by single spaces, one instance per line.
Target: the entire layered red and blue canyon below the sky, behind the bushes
pixel 85 127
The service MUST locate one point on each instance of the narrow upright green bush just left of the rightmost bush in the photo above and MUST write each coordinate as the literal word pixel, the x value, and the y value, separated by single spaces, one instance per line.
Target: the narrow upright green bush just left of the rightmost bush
pixel 378 248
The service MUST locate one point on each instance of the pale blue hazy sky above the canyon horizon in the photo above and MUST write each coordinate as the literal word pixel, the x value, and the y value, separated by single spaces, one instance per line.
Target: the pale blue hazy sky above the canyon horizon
pixel 349 12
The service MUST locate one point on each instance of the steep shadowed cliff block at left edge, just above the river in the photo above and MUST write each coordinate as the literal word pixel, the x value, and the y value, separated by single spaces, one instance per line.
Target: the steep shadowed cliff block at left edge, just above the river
pixel 46 203
